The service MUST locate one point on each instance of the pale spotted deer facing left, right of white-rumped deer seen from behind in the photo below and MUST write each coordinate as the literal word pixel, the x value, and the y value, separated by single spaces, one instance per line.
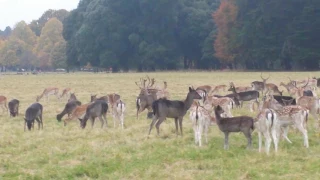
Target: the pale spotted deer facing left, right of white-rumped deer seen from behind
pixel 289 115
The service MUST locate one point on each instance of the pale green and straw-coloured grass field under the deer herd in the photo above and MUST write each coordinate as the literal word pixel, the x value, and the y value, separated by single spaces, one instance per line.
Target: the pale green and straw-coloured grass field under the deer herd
pixel 59 152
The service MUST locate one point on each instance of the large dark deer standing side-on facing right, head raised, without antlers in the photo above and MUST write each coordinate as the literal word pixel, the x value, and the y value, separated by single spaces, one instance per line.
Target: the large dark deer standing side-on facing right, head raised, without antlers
pixel 163 108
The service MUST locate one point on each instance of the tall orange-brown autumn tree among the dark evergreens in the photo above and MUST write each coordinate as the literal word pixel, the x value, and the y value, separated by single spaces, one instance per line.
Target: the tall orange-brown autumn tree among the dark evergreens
pixel 225 19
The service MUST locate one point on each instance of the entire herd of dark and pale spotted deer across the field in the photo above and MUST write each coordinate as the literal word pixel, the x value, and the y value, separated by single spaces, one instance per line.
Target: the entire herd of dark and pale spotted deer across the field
pixel 275 111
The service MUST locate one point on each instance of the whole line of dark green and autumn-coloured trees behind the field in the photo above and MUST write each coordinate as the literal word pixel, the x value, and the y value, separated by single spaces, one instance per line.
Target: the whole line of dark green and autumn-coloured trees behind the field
pixel 148 35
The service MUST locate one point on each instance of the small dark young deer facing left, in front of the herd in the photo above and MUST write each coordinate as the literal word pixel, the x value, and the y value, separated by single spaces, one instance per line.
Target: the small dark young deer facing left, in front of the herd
pixel 242 124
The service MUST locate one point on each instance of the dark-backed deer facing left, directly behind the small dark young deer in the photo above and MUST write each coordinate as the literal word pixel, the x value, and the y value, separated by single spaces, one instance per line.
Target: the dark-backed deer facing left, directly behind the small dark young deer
pixel 251 96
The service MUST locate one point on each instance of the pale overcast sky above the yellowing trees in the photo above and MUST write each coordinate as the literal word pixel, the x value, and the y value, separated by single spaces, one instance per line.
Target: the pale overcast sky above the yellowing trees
pixel 13 11
